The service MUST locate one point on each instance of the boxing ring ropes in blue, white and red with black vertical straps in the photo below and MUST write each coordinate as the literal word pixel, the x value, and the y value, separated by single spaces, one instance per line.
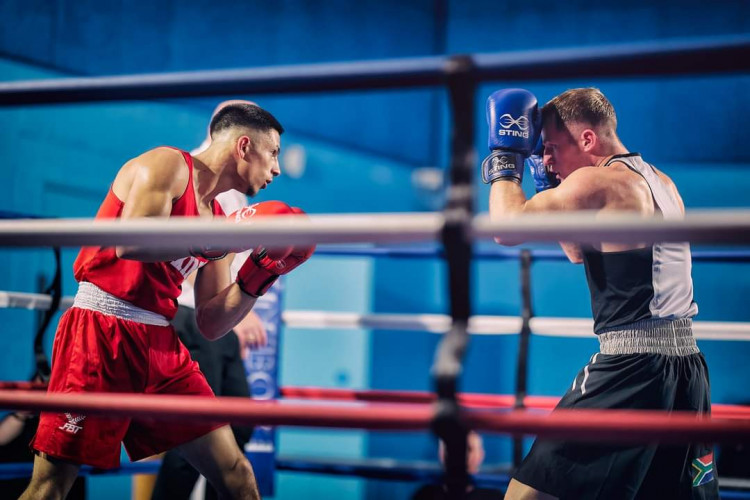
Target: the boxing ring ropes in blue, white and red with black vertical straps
pixel 446 411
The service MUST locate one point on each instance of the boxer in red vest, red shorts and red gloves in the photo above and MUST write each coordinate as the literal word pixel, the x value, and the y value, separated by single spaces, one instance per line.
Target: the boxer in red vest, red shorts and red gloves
pixel 117 336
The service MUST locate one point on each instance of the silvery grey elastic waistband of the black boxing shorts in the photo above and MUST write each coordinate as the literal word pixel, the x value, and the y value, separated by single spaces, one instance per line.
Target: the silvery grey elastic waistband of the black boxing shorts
pixel 655 336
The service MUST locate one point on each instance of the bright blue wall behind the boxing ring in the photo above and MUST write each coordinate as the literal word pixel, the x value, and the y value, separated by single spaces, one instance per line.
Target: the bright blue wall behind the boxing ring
pixel 362 151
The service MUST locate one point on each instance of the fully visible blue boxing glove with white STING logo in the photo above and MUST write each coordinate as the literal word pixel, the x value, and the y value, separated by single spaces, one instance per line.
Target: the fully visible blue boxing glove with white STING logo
pixel 515 123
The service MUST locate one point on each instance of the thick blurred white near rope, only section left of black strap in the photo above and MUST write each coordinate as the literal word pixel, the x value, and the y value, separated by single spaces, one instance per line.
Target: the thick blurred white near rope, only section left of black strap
pixel 187 232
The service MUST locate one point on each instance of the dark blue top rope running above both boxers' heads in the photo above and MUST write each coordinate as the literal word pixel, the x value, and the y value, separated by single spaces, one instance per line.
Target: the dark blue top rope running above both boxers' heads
pixel 664 57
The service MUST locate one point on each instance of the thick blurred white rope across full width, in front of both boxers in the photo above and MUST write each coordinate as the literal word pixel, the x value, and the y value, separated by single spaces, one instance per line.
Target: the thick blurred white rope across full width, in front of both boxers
pixel 717 226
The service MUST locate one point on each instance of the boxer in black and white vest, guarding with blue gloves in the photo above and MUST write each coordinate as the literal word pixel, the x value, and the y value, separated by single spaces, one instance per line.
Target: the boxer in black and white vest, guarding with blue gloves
pixel 641 296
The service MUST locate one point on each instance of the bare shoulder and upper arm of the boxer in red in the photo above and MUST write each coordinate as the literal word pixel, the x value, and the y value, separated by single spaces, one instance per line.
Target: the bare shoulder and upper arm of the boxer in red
pixel 148 185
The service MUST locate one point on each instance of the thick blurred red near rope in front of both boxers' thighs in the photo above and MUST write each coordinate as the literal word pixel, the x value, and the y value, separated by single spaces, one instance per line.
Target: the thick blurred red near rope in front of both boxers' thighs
pixel 584 425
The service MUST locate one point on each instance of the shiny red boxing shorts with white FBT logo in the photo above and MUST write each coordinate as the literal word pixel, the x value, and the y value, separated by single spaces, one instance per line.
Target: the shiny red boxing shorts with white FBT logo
pixel 97 352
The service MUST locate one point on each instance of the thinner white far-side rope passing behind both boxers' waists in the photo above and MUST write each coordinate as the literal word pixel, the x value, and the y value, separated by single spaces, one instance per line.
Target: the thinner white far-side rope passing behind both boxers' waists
pixel 433 323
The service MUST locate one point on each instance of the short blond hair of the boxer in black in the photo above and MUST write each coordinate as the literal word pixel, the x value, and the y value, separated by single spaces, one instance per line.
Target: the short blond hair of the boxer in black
pixel 584 105
